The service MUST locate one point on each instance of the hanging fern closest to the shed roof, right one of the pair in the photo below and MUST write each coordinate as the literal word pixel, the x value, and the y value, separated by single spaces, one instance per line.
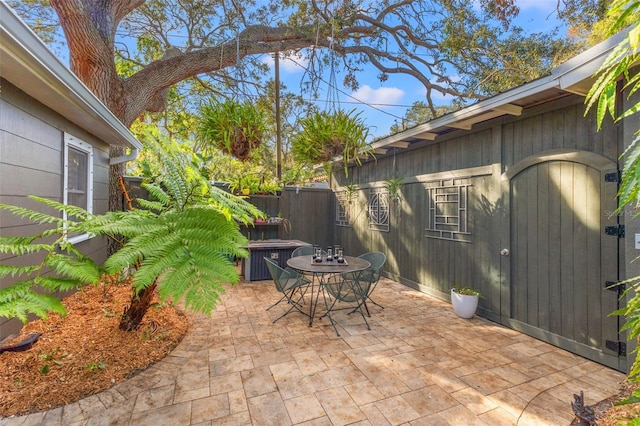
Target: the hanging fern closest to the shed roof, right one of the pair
pixel 326 135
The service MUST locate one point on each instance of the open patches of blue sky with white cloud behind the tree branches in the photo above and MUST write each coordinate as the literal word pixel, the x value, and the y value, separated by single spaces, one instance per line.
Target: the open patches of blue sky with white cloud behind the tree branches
pixel 392 98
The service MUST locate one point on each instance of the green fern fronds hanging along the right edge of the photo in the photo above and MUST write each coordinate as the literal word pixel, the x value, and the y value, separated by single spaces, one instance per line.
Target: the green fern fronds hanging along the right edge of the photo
pixel 603 96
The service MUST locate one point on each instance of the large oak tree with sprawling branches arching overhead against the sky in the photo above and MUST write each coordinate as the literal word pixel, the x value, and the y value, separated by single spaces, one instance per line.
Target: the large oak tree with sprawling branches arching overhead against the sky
pixel 450 46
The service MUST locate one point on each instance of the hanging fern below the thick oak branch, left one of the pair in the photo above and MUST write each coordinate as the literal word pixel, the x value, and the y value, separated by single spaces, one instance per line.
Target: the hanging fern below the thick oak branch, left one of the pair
pixel 235 128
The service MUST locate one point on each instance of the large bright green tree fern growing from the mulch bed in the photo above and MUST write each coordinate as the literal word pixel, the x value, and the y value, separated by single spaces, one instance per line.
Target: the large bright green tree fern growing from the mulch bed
pixel 188 236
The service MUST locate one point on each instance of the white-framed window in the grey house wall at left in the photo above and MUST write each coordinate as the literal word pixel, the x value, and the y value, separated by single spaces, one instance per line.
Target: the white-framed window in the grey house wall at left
pixel 78 177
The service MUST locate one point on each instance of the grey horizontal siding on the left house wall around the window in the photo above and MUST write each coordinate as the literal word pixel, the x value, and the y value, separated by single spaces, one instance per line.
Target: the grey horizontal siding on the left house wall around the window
pixel 31 157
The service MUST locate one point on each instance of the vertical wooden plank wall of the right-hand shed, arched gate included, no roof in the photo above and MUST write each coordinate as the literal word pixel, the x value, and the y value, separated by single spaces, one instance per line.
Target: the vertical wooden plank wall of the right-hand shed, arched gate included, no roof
pixel 553 198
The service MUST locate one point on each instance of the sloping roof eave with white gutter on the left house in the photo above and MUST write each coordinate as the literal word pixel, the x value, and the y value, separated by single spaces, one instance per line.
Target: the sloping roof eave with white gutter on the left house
pixel 26 62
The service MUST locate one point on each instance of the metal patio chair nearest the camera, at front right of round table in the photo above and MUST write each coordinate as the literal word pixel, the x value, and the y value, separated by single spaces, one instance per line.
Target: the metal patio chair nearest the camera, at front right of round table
pixel 347 291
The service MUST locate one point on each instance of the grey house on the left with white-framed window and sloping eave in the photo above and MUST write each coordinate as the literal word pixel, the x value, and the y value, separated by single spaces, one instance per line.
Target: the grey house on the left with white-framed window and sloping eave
pixel 54 137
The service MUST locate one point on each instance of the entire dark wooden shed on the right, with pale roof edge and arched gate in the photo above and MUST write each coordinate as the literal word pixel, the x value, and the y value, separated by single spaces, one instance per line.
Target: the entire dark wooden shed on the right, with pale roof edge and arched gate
pixel 515 196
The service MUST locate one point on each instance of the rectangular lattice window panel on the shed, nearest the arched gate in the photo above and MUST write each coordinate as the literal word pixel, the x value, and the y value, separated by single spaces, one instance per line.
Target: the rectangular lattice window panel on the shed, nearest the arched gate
pixel 448 215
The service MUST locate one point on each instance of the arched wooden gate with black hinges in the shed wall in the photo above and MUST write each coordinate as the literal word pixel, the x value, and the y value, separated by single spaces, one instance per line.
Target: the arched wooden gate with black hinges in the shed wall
pixel 564 251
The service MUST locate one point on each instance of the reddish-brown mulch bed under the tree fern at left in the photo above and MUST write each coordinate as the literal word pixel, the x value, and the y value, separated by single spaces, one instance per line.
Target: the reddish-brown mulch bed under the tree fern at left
pixel 84 353
